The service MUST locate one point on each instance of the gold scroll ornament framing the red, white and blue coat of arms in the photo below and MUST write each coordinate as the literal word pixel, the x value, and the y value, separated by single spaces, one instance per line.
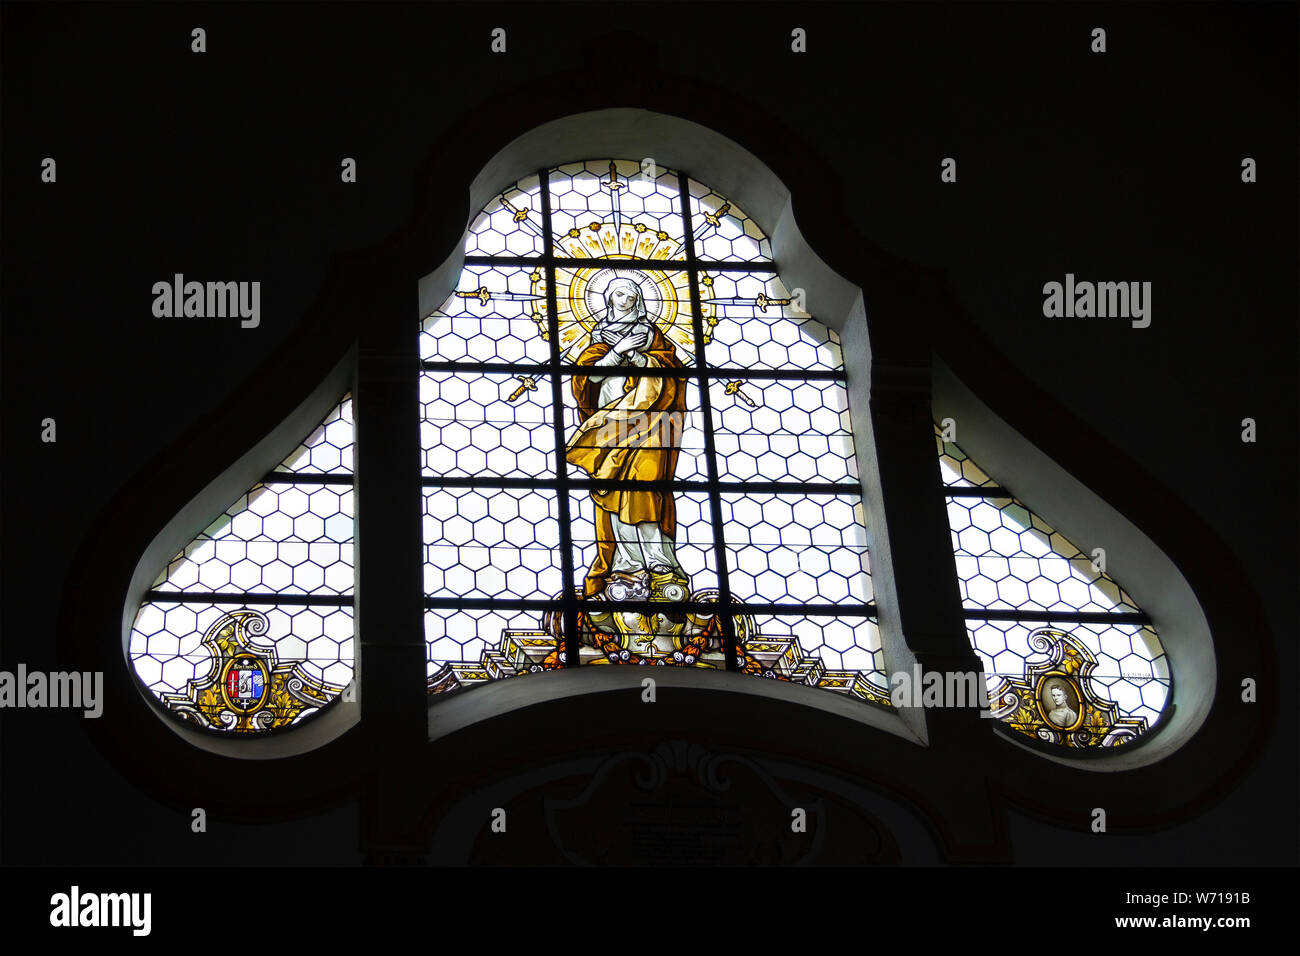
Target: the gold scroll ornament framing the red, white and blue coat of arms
pixel 248 689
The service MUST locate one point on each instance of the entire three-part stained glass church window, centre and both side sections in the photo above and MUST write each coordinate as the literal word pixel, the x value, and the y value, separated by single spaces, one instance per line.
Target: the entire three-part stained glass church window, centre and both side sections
pixel 636 451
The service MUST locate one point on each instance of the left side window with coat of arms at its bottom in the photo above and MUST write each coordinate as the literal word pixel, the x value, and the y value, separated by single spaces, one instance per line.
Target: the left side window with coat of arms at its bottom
pixel 250 626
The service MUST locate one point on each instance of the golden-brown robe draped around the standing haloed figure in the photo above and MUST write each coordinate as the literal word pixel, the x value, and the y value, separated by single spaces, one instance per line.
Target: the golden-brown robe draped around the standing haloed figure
pixel 635 439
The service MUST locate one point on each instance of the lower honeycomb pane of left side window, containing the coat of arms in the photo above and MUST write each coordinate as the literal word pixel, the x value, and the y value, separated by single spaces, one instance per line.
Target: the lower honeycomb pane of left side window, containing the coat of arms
pixel 242 669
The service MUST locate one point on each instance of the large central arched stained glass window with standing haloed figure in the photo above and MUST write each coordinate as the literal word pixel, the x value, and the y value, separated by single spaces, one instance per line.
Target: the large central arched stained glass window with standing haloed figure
pixel 638 447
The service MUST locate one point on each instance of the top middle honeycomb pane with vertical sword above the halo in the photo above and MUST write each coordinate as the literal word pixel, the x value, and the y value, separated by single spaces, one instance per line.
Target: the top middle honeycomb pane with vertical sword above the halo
pixel 616 210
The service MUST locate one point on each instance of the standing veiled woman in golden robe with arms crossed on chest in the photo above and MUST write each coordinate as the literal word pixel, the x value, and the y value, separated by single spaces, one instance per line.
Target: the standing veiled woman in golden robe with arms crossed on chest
pixel 630 431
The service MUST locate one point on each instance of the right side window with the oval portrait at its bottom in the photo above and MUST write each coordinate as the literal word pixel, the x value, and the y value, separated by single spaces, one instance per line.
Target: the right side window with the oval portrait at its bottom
pixel 1072 659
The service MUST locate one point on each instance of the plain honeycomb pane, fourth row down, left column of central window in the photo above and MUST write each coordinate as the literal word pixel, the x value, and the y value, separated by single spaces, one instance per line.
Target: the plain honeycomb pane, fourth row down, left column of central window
pixel 492 543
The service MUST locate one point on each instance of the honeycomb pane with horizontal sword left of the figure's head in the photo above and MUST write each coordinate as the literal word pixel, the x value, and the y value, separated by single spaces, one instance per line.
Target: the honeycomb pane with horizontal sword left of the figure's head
pixel 496 314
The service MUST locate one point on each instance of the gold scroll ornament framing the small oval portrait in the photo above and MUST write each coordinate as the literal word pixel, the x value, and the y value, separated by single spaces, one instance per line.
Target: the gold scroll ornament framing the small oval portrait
pixel 1055 702
